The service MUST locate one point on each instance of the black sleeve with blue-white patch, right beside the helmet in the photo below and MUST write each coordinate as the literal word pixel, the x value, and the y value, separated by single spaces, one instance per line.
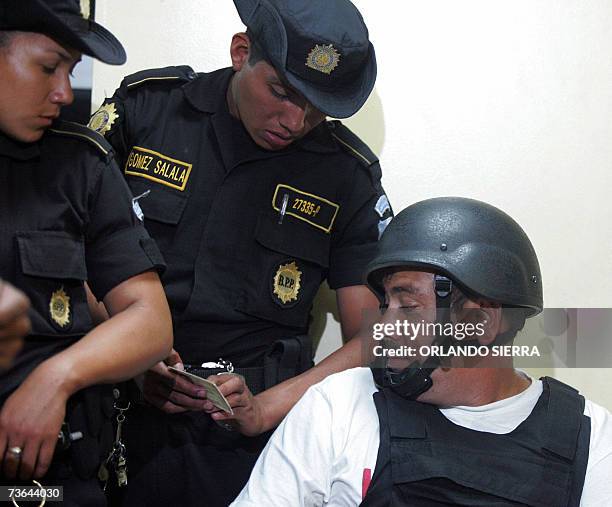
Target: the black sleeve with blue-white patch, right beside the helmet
pixel 365 215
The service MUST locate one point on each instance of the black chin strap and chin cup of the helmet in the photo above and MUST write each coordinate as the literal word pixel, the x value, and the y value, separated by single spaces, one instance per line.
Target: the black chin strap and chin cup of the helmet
pixel 414 380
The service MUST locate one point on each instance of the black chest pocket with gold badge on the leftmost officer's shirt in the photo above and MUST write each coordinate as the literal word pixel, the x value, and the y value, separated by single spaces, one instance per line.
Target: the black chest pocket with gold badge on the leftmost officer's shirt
pixel 52 271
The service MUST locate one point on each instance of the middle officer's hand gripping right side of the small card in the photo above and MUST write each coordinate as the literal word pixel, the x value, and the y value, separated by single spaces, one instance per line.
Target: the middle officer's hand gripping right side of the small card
pixel 248 415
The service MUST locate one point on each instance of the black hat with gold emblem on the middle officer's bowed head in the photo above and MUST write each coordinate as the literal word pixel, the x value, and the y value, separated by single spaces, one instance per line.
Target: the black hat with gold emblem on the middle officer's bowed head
pixel 320 47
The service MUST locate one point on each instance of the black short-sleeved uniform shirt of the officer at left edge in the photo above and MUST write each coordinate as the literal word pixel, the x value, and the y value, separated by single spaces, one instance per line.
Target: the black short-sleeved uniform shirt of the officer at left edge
pixel 66 217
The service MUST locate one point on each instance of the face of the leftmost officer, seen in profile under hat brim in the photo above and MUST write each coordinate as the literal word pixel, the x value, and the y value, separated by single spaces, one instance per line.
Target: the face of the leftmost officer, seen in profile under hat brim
pixel 35 84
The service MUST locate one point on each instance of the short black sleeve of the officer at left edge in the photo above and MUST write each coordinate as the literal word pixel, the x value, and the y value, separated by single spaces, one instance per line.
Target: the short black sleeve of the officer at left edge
pixel 117 245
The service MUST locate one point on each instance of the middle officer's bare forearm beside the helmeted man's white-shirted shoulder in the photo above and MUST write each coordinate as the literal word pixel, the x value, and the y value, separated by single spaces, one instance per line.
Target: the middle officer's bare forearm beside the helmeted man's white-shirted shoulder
pixel 278 400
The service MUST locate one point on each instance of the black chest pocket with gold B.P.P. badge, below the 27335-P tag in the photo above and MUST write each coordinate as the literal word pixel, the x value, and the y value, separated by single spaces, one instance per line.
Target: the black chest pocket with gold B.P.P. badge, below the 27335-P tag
pixel 288 263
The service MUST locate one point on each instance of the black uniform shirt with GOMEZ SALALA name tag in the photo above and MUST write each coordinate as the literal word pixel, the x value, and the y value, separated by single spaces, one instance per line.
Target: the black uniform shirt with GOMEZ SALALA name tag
pixel 248 234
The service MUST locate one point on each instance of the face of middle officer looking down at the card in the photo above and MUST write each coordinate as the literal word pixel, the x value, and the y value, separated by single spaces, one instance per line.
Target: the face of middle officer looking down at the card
pixel 272 112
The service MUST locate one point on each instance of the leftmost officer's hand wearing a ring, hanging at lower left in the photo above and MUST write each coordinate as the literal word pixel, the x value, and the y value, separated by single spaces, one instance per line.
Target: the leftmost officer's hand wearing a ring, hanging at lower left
pixel 31 419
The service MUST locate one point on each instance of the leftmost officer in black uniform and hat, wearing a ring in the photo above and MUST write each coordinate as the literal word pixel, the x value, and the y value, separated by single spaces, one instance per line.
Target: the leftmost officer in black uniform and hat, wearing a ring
pixel 66 219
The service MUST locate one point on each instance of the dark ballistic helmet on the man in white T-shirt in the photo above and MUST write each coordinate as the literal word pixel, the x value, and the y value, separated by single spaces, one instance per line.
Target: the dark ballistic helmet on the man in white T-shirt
pixel 471 242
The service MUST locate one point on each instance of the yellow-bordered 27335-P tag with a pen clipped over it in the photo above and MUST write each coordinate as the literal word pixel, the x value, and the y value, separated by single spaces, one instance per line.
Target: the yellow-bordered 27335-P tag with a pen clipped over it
pixel 310 208
